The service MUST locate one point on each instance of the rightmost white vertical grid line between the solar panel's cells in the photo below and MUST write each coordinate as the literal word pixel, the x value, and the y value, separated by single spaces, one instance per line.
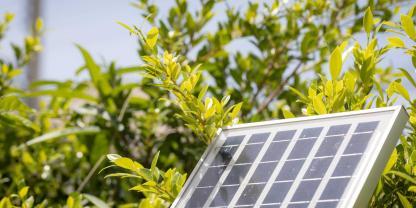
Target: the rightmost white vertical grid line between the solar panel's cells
pixel 332 166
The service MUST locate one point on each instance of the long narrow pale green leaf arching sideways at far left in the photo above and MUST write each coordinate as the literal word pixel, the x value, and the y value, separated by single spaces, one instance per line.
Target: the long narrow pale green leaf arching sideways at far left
pixel 62 133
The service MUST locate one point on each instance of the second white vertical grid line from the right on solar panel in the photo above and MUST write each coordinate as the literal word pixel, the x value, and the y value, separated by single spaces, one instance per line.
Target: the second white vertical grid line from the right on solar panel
pixel 298 180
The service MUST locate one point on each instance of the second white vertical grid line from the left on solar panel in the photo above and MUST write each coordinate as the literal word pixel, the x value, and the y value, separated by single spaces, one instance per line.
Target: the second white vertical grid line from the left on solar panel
pixel 252 169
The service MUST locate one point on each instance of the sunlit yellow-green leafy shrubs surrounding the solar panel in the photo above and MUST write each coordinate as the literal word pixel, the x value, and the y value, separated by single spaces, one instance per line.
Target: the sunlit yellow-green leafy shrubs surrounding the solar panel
pixel 107 142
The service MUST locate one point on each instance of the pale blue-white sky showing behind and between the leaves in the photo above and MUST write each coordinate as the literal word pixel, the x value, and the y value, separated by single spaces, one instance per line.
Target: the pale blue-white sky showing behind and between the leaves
pixel 93 25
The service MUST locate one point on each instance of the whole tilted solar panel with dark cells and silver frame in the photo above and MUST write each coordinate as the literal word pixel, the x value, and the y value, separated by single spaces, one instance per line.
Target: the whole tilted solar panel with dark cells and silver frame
pixel 332 160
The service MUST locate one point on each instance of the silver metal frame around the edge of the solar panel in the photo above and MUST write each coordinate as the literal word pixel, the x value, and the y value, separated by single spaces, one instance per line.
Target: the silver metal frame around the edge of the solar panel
pixel 358 192
